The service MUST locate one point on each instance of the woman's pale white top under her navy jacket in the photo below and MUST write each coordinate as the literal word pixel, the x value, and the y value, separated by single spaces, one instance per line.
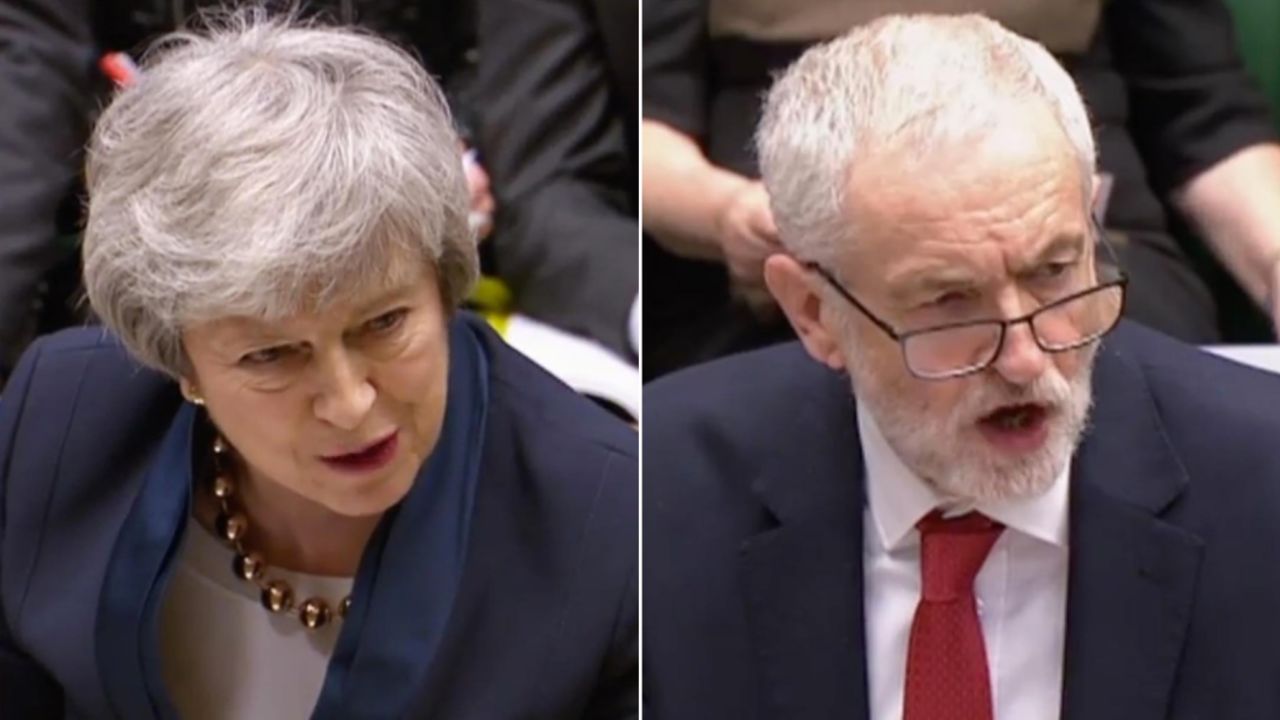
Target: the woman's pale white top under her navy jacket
pixel 225 655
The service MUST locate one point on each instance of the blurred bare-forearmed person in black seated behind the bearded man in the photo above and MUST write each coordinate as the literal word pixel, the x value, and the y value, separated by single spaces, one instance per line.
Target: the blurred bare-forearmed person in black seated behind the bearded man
pixel 1183 135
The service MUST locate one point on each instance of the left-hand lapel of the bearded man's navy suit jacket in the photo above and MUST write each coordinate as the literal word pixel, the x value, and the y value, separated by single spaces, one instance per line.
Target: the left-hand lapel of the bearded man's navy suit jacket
pixel 803 580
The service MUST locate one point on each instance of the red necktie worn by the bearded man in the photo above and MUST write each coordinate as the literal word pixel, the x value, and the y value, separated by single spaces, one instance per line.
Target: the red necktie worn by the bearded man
pixel 947 660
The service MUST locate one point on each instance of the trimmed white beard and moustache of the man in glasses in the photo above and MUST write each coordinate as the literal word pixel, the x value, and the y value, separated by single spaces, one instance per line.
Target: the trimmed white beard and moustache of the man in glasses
pixel 949 454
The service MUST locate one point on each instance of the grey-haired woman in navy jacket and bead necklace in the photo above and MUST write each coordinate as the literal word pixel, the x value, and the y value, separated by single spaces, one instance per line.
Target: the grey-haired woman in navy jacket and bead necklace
pixel 290 480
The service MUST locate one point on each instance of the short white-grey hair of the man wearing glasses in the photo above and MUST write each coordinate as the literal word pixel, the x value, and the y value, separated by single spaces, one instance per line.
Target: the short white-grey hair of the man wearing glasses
pixel 900 81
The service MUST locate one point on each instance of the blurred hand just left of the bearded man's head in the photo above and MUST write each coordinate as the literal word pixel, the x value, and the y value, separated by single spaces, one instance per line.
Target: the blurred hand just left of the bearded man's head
pixel 748 236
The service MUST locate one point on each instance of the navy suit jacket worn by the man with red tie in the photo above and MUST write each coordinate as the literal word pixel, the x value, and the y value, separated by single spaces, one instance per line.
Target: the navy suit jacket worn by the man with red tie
pixel 753 575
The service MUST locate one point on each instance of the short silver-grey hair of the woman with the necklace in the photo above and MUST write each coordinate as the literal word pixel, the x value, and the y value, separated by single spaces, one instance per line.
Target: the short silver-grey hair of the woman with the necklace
pixel 263 167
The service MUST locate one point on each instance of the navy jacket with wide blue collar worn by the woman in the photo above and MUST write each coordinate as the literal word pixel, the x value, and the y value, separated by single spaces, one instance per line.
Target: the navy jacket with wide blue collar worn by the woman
pixel 505 587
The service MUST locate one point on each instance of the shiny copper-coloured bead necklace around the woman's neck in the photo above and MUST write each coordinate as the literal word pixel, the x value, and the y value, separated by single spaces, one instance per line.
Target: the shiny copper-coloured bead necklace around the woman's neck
pixel 277 595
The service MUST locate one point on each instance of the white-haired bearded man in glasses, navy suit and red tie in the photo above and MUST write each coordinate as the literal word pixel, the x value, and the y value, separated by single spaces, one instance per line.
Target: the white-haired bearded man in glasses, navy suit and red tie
pixel 1030 509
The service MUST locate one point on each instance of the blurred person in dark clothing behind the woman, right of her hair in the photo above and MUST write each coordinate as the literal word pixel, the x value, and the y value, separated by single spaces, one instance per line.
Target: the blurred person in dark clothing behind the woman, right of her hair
pixel 557 98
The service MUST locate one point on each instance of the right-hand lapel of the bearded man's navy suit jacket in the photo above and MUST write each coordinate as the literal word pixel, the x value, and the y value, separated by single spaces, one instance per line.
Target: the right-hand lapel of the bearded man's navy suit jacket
pixel 1132 576
